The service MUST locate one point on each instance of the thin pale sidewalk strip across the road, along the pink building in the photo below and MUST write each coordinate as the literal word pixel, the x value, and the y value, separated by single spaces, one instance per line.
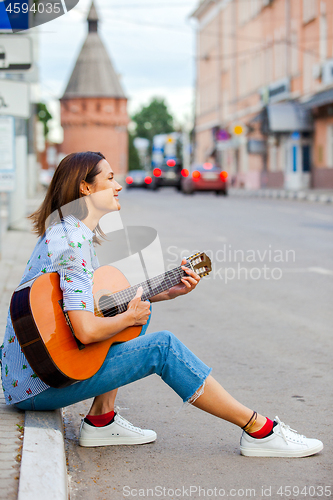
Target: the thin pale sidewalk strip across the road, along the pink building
pixel 313 195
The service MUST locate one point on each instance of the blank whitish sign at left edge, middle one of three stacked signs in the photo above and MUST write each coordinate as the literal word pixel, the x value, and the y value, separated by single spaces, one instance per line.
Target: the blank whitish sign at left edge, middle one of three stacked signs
pixel 14 98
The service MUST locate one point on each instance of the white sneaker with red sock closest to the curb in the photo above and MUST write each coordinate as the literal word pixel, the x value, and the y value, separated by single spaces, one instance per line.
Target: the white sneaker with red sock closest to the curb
pixel 118 433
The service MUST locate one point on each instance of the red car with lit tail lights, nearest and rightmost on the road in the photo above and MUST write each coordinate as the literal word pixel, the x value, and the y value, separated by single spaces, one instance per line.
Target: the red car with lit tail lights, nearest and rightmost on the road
pixel 204 177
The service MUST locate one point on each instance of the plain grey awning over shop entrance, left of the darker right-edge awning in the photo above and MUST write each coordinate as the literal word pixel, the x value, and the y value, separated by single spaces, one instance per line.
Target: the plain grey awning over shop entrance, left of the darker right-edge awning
pixel 288 117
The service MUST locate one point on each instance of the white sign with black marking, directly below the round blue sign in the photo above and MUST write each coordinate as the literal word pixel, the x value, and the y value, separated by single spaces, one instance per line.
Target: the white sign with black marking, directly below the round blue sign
pixel 15 53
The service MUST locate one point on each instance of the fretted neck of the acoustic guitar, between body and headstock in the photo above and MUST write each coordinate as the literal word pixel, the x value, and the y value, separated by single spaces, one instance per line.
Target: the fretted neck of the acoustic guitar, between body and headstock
pixel 151 287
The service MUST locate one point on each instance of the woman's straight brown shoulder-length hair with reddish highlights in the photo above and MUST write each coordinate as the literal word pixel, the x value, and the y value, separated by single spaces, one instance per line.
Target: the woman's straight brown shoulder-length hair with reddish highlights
pixel 64 190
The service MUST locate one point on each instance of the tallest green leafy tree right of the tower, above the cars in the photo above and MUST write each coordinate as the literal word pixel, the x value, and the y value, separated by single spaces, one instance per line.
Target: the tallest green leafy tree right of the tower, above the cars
pixel 153 119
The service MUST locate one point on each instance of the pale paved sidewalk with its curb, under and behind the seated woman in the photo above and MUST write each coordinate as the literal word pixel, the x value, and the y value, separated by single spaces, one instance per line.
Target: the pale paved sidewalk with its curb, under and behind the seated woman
pixel 31 444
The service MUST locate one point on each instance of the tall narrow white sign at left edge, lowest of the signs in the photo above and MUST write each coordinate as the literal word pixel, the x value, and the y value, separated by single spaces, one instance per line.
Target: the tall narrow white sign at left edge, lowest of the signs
pixel 7 153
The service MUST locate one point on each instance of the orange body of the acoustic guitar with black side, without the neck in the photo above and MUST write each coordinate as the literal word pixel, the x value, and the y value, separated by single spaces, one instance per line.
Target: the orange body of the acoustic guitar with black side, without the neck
pixel 45 337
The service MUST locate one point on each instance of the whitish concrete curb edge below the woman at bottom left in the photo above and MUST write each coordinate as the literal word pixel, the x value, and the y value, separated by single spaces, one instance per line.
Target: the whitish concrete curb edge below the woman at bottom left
pixel 43 471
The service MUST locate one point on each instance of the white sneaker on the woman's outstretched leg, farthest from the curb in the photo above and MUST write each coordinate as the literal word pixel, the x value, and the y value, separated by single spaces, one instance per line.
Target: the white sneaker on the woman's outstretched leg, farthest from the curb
pixel 284 442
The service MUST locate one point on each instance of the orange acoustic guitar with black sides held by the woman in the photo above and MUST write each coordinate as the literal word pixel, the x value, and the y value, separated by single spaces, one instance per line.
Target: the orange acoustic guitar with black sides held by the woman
pixel 46 335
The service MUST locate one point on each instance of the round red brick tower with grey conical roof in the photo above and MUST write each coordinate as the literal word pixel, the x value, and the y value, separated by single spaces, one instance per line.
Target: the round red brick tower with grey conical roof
pixel 94 107
